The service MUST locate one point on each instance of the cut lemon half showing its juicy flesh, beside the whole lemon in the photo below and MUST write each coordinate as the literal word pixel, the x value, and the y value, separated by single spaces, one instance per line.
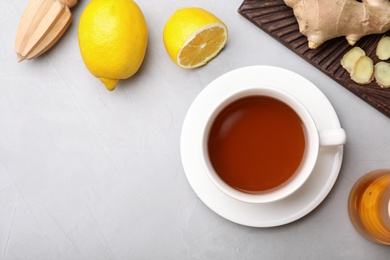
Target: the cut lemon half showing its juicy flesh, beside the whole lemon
pixel 193 36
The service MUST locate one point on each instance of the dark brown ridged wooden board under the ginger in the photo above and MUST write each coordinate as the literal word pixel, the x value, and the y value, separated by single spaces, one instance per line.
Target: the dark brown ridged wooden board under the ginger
pixel 278 20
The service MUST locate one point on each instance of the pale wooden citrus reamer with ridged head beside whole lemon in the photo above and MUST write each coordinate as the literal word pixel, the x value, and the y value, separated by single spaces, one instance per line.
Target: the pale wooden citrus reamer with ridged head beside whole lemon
pixel 41 26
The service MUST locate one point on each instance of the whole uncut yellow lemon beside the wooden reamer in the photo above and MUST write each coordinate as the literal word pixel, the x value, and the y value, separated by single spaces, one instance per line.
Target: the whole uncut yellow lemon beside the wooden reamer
pixel 113 39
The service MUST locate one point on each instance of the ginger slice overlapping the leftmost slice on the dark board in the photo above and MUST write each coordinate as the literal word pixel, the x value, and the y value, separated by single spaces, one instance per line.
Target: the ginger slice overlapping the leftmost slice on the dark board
pixel 363 70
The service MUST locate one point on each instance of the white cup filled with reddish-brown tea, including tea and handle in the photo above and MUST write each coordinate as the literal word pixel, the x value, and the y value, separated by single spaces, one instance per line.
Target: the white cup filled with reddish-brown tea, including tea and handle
pixel 260 144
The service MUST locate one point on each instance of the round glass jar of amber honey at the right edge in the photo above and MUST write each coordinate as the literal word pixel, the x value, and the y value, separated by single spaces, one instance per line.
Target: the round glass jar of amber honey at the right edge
pixel 369 206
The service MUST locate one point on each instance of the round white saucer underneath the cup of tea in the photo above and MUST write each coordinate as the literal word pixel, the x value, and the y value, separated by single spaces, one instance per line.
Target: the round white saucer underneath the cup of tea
pixel 309 196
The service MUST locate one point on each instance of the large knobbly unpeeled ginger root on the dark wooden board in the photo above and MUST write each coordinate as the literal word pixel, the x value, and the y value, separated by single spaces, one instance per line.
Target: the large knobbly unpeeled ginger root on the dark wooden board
pixel 324 20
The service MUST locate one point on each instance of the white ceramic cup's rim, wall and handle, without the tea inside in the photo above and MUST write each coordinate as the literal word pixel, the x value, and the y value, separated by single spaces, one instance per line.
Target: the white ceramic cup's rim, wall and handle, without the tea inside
pixel 314 139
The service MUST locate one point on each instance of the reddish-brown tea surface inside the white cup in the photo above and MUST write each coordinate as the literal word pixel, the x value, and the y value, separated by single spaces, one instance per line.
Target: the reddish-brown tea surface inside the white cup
pixel 256 144
